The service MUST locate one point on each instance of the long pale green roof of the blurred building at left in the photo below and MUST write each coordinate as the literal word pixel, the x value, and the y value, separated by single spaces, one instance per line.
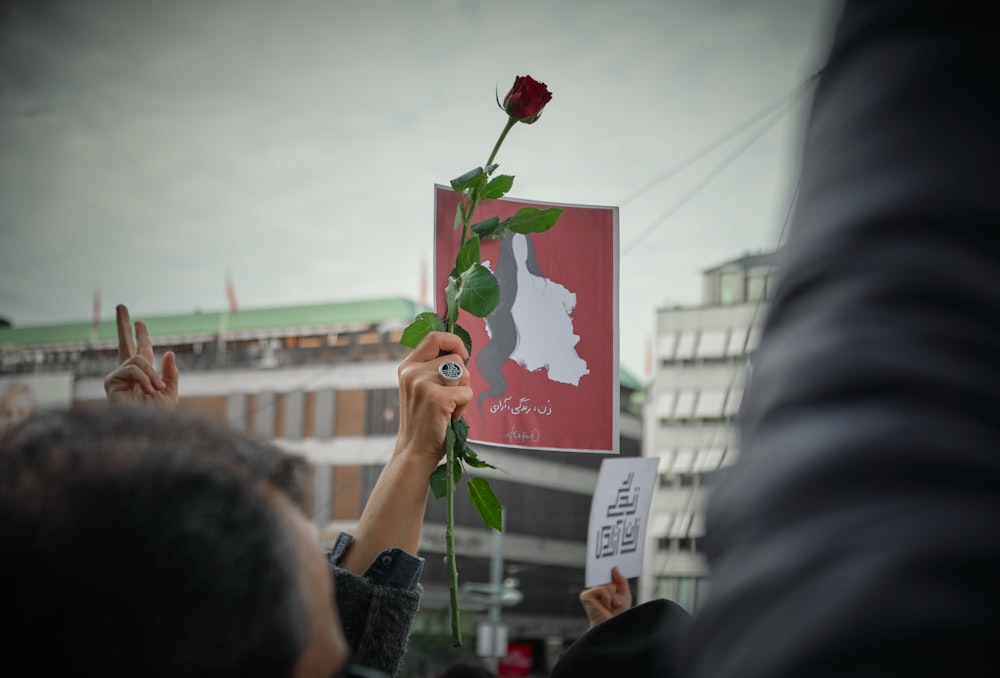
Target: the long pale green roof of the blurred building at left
pixel 342 313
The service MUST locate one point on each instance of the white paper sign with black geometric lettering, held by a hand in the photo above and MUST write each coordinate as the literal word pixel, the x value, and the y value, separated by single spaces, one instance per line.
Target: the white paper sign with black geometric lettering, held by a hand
pixel 619 512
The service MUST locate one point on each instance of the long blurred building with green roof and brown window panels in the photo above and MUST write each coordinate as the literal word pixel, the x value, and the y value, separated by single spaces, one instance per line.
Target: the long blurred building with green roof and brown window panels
pixel 320 381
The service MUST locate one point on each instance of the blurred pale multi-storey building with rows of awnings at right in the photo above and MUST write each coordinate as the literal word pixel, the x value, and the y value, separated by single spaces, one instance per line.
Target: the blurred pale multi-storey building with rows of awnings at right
pixel 702 359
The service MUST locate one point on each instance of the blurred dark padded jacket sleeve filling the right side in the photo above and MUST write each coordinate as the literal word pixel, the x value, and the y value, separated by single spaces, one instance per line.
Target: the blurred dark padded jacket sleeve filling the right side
pixel 859 533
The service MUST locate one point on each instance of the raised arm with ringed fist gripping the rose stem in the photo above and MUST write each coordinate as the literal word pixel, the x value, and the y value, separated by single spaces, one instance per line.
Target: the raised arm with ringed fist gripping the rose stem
pixel 377 571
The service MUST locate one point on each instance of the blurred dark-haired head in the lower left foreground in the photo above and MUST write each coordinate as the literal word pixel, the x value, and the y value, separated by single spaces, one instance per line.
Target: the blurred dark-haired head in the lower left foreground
pixel 138 543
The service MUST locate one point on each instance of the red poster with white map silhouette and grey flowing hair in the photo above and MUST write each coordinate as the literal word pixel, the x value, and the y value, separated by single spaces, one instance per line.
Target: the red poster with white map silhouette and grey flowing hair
pixel 545 365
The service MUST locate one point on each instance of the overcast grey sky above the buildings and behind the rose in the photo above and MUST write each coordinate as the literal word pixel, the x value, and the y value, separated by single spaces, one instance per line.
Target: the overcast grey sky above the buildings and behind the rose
pixel 148 147
